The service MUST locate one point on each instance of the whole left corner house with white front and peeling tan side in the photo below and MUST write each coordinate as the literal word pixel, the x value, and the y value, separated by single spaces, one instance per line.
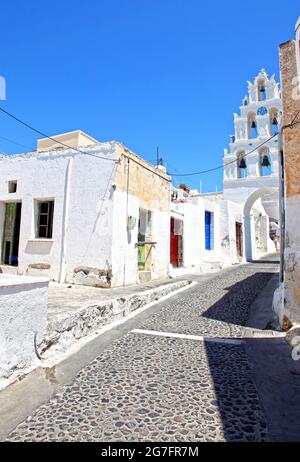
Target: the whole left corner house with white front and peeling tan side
pixel 94 213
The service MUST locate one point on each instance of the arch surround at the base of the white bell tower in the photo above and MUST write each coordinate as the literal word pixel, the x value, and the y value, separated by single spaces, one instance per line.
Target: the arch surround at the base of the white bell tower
pixel 249 226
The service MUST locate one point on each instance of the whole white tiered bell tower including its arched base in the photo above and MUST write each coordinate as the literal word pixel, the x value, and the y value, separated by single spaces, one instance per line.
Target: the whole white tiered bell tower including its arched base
pixel 251 163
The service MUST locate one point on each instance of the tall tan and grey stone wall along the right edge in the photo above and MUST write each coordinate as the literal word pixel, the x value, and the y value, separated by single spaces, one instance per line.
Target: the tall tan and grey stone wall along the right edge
pixel 289 311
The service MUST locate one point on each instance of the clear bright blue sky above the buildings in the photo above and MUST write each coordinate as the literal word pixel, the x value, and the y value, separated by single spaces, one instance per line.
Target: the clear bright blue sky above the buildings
pixel 146 73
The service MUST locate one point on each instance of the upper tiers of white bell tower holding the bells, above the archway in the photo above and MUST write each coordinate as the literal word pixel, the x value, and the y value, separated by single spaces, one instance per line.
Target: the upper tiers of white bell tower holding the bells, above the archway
pixel 247 162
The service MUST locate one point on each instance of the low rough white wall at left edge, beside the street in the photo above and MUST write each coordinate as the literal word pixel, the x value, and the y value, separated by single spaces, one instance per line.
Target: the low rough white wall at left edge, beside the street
pixel 23 316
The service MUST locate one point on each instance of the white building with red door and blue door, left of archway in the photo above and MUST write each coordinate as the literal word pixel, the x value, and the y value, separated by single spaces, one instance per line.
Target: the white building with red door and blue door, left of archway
pixel 206 225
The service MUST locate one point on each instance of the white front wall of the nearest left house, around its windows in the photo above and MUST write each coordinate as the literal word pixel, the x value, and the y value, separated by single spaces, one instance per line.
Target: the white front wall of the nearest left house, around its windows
pixel 81 187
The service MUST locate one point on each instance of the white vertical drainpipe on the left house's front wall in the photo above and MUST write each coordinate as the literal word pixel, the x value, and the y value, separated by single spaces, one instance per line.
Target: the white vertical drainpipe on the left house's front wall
pixel 65 216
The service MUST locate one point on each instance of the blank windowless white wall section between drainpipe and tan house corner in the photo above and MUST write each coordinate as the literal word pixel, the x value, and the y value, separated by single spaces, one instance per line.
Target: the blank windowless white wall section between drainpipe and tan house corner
pixel 89 214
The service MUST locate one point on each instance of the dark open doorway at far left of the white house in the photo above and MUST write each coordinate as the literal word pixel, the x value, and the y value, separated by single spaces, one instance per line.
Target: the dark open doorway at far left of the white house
pixel 11 234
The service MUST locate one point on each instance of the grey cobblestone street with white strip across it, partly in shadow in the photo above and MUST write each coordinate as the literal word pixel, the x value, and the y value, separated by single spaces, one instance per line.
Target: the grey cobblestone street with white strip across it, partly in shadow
pixel 146 387
